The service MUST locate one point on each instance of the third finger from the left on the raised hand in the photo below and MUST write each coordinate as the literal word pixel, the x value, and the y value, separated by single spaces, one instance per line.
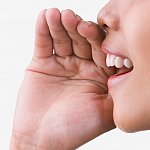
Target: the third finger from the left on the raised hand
pixel 81 46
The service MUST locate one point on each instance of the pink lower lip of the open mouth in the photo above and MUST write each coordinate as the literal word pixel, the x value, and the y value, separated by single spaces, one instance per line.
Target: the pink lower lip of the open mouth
pixel 117 78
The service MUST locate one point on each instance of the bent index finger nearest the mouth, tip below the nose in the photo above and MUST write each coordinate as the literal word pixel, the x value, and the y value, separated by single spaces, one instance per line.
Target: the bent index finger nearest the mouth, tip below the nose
pixel 92 32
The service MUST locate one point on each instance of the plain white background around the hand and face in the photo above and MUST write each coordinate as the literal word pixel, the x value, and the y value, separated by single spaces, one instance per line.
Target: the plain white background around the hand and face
pixel 17 22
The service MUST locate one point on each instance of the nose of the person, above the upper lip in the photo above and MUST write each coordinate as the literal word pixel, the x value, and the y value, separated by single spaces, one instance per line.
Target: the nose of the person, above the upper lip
pixel 108 17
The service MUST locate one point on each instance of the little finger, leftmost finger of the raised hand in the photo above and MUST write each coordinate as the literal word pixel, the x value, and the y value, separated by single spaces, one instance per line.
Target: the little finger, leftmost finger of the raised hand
pixel 43 41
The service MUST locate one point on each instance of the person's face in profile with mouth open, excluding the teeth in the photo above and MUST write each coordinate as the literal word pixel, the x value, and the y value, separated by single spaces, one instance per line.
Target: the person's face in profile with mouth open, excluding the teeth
pixel 128 35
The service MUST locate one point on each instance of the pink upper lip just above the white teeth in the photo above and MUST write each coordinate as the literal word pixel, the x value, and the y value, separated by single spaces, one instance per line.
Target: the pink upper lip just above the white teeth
pixel 108 50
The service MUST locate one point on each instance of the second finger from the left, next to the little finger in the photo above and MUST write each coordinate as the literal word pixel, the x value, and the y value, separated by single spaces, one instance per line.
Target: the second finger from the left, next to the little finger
pixel 61 40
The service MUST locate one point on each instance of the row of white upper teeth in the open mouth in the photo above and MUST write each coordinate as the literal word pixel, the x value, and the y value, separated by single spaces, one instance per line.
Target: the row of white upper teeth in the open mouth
pixel 118 62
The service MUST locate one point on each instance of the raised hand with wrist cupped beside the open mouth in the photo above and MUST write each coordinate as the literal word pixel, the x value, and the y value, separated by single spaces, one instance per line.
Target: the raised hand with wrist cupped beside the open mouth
pixel 63 101
